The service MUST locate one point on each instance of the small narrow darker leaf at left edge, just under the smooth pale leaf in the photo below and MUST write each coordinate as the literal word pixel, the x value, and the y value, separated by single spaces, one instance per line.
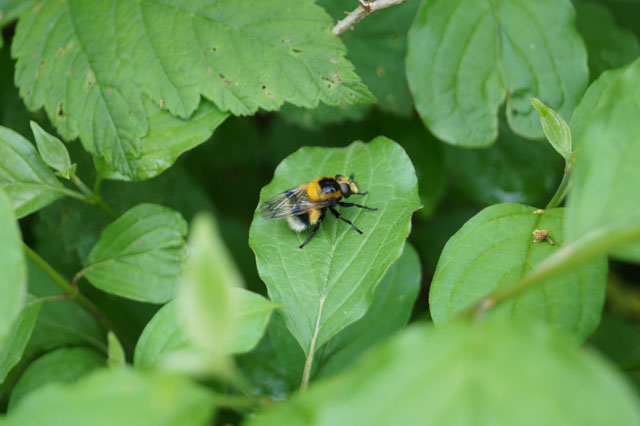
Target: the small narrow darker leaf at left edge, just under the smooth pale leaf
pixel 12 346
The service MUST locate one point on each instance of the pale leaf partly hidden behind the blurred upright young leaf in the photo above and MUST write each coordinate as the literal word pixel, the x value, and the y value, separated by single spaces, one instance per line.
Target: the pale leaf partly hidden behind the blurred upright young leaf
pixel 165 333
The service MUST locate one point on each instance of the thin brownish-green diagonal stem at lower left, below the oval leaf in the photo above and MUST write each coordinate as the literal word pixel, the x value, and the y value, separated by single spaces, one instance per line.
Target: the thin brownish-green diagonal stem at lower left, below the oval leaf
pixel 73 293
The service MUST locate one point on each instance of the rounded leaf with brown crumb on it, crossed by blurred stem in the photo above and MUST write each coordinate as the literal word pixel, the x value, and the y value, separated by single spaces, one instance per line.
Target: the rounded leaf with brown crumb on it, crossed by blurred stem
pixel 496 247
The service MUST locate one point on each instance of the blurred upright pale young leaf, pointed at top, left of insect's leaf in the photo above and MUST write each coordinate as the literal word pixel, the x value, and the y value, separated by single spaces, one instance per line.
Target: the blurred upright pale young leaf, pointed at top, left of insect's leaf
pixel 204 299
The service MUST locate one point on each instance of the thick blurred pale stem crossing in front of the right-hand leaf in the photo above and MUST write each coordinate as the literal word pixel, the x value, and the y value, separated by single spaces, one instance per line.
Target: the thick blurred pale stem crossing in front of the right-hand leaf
pixel 594 243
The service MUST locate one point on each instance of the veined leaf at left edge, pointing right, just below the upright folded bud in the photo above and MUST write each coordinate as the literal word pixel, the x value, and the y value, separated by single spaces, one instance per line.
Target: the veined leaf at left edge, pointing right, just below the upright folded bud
pixel 27 180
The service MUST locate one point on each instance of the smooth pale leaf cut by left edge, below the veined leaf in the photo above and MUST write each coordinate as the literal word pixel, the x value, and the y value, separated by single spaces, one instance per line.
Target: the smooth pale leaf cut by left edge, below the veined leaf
pixel 13 279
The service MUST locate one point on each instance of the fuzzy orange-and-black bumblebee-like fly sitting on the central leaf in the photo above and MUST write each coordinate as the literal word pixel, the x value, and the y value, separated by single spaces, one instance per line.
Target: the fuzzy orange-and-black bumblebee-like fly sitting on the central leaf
pixel 305 205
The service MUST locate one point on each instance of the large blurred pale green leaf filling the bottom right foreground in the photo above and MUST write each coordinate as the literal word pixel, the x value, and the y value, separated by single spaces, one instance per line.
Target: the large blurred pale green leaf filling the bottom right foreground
pixel 487 374
